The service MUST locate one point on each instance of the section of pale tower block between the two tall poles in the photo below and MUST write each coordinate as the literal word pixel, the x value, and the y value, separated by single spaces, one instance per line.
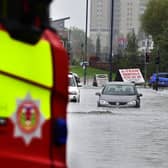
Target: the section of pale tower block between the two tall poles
pixel 100 22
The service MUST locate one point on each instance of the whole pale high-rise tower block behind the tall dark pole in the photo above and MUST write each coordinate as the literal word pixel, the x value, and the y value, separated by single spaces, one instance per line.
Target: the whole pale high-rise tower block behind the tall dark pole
pixel 126 18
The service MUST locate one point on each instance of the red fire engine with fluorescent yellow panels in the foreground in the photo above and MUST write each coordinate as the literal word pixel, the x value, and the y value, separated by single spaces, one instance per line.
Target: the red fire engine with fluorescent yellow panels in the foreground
pixel 33 87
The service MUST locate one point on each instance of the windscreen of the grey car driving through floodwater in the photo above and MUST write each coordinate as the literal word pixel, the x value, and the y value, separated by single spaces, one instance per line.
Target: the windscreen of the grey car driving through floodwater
pixel 119 90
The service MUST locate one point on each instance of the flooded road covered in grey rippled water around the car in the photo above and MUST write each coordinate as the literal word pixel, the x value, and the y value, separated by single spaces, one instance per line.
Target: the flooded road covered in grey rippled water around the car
pixel 118 137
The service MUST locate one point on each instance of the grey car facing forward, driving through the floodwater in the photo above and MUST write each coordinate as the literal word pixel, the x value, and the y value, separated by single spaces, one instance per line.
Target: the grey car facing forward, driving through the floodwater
pixel 119 94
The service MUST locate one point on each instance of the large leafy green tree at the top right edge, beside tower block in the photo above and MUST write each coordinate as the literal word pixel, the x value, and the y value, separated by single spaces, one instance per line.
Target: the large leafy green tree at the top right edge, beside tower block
pixel 155 23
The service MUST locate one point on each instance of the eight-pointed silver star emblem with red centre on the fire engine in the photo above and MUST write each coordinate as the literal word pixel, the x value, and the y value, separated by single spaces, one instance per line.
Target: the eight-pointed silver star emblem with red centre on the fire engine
pixel 27 119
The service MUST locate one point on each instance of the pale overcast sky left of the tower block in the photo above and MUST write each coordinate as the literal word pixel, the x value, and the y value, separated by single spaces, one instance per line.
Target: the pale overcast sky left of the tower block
pixel 75 9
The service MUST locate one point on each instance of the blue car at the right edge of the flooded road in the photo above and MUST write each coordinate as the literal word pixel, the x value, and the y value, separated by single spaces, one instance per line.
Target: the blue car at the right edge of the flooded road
pixel 162 79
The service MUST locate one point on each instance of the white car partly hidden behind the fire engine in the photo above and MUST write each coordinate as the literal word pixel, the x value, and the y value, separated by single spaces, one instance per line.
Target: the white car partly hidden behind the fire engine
pixel 74 92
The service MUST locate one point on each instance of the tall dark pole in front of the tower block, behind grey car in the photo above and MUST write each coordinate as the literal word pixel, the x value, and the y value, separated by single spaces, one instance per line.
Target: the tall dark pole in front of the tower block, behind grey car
pixel 111 41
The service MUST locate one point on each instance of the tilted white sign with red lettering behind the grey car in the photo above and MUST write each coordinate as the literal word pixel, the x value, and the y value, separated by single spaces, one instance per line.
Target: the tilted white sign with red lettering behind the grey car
pixel 132 75
